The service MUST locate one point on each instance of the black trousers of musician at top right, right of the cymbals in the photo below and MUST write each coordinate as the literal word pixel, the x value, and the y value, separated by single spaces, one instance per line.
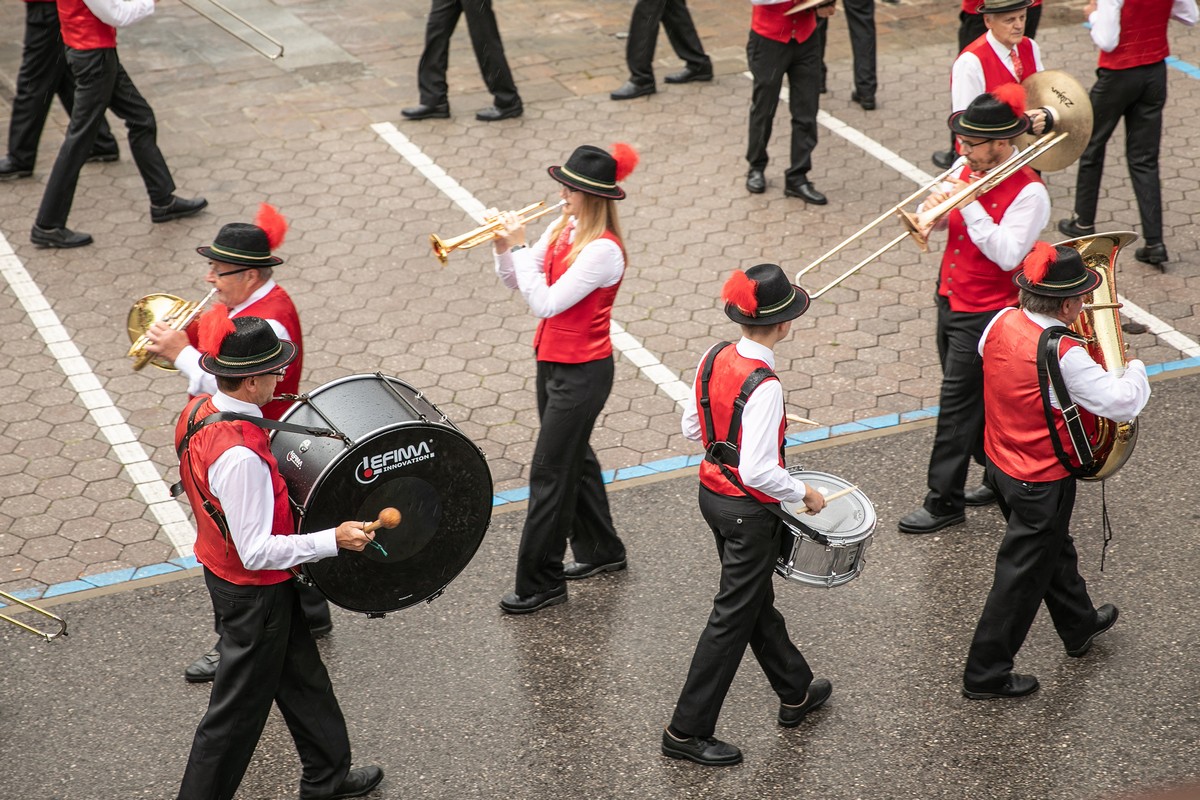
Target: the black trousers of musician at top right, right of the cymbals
pixel 1137 95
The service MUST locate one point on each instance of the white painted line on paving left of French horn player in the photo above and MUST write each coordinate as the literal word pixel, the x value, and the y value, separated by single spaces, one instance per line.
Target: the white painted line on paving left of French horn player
pixel 127 448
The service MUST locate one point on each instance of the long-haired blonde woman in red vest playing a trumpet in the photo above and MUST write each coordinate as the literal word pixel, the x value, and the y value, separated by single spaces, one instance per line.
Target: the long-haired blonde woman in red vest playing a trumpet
pixel 571 280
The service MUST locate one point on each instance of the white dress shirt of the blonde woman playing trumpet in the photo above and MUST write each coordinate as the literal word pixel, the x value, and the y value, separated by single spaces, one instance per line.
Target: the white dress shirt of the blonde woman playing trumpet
pixel 599 264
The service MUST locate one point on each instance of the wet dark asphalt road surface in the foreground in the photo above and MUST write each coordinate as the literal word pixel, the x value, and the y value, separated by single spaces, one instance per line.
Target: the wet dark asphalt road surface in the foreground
pixel 457 701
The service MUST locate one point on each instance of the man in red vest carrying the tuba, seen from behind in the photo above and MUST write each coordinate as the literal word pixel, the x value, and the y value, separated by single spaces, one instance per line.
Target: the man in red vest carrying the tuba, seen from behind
pixel 1037 561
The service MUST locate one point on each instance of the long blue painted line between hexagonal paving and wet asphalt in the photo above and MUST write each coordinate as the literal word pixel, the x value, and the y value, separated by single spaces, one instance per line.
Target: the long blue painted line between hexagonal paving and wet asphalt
pixel 523 494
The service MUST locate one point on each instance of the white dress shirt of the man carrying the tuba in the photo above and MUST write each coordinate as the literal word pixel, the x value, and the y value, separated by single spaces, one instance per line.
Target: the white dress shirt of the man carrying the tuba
pixel 1102 393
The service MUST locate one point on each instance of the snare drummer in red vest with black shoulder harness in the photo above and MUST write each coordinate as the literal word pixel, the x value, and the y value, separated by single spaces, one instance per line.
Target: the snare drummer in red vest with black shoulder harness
pixel 733 498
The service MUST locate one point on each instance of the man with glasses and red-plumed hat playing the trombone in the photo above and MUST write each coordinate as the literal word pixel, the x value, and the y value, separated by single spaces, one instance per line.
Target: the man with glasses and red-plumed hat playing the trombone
pixel 988 238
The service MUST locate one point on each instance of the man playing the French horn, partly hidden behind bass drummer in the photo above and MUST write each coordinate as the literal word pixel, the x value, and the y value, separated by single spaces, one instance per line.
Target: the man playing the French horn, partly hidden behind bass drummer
pixel 242 269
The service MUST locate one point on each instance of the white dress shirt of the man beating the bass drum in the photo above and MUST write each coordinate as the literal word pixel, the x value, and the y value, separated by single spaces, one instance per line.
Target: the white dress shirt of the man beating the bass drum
pixel 242 482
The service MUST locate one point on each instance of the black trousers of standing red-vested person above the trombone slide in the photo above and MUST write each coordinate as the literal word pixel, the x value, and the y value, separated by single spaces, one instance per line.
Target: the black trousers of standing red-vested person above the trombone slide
pixel 770 63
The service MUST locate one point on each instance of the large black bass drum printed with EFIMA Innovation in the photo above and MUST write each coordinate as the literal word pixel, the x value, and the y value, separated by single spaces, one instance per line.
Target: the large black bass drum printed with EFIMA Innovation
pixel 397 449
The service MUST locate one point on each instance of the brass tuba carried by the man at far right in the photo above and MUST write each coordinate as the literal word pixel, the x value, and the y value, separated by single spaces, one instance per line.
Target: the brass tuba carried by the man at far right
pixel 1100 324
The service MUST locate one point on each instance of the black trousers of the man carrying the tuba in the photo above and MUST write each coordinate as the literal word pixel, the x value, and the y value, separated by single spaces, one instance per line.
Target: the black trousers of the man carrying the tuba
pixel 1037 562
